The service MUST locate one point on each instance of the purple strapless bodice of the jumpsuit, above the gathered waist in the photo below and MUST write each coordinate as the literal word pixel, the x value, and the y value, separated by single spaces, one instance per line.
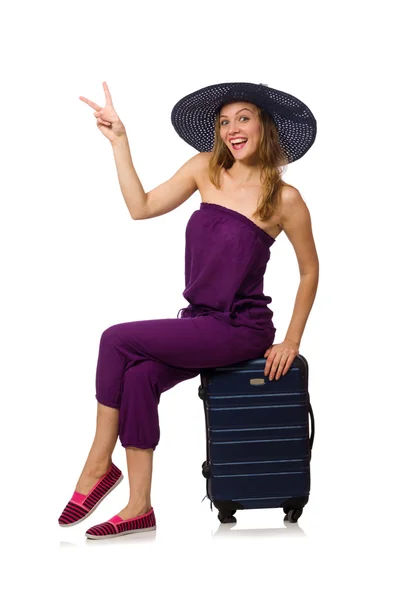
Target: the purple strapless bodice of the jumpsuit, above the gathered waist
pixel 226 256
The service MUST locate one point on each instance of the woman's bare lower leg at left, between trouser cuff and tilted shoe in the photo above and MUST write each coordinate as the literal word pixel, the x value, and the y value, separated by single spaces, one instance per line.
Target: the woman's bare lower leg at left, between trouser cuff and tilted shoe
pixel 100 456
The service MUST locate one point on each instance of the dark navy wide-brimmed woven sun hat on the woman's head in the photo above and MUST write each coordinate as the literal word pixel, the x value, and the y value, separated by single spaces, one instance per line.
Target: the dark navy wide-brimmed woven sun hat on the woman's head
pixel 194 116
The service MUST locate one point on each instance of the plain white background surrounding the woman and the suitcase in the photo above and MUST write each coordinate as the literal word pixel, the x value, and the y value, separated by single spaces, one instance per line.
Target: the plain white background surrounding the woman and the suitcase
pixel 74 263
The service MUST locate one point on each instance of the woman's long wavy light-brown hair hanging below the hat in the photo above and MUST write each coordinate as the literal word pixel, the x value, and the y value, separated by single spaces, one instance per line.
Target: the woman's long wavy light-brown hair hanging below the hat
pixel 272 160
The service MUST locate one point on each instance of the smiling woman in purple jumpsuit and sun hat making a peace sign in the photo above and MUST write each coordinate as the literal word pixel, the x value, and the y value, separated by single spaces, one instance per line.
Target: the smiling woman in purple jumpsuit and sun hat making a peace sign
pixel 245 205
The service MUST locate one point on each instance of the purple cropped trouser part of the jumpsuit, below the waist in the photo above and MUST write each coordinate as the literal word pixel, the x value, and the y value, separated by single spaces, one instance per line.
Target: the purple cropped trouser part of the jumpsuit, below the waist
pixel 139 360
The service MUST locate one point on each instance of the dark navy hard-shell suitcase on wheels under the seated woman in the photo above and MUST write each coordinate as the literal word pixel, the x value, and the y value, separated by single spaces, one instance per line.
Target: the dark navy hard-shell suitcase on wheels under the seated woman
pixel 258 443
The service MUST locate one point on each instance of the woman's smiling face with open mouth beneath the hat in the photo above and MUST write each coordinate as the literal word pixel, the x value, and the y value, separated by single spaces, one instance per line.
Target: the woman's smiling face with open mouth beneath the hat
pixel 240 120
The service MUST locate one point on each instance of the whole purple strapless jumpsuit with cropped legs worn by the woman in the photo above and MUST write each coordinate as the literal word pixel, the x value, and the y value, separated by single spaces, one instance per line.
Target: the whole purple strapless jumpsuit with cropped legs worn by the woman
pixel 227 321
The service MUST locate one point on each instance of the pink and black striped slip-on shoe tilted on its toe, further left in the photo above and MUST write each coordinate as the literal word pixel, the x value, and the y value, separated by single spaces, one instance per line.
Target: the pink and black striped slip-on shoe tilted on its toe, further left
pixel 80 506
